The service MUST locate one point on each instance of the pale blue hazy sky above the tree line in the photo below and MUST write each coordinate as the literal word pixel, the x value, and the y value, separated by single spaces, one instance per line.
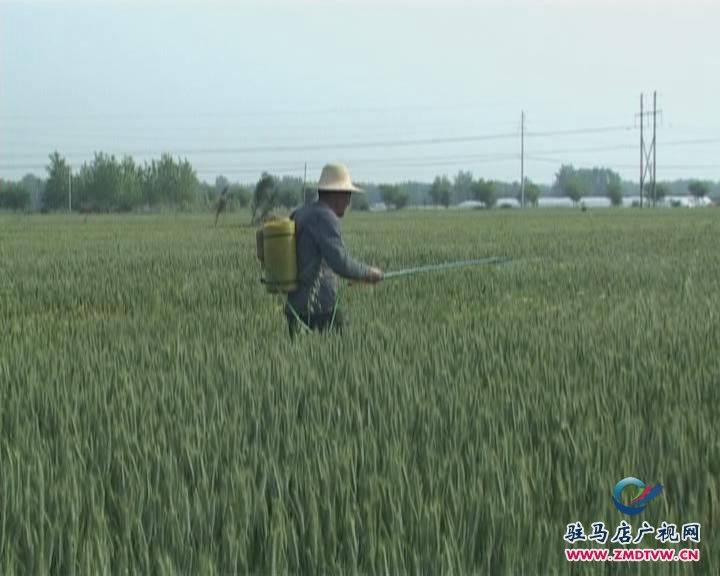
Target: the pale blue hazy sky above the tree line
pixel 397 90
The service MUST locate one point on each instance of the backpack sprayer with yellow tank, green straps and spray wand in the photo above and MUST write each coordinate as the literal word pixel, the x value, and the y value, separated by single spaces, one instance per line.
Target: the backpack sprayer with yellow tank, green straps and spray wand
pixel 276 250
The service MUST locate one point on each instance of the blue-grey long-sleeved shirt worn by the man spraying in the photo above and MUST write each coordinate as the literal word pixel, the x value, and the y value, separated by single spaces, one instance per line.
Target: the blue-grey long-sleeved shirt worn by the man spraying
pixel 321 254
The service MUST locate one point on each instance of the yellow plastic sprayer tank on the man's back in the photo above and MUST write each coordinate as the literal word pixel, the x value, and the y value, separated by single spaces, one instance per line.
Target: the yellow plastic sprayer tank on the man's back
pixel 279 257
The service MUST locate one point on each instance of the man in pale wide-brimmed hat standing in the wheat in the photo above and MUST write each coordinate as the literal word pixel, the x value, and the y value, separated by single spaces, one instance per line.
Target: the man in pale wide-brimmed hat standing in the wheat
pixel 321 254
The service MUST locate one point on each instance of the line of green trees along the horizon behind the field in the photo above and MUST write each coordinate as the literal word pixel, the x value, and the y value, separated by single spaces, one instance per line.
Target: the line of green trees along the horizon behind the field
pixel 108 184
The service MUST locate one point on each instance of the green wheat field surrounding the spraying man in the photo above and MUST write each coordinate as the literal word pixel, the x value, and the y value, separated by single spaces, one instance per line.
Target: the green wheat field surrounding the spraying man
pixel 155 417
